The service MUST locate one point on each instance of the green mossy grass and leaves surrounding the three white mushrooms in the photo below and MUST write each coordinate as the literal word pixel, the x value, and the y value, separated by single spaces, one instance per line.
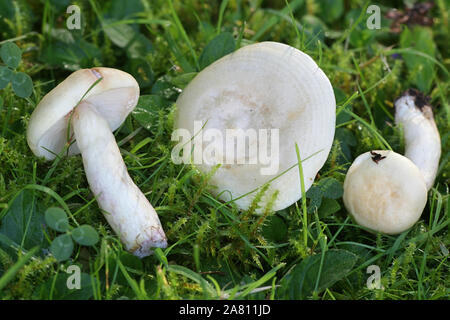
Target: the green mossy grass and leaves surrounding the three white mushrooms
pixel 214 250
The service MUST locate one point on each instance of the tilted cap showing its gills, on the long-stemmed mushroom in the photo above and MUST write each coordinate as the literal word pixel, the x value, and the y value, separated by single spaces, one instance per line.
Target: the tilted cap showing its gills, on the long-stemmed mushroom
pixel 114 97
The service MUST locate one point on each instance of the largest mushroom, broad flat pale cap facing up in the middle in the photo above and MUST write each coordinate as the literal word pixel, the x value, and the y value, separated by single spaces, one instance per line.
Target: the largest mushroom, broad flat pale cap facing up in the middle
pixel 265 91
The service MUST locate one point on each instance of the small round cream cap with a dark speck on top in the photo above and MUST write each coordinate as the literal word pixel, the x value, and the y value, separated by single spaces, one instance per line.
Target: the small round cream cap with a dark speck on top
pixel 387 194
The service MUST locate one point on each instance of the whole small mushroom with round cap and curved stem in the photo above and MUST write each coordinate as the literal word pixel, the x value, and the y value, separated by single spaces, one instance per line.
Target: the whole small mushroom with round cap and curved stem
pixel 387 192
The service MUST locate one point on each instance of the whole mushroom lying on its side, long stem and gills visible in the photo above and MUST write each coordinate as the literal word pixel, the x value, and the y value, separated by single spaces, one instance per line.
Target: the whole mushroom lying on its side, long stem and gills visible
pixel 100 111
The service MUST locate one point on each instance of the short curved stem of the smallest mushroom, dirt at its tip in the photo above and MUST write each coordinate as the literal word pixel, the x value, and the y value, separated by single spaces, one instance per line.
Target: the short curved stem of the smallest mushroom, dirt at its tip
pixel 422 140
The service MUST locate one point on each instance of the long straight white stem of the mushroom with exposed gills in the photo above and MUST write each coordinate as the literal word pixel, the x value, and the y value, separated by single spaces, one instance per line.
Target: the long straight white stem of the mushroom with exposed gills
pixel 125 207
